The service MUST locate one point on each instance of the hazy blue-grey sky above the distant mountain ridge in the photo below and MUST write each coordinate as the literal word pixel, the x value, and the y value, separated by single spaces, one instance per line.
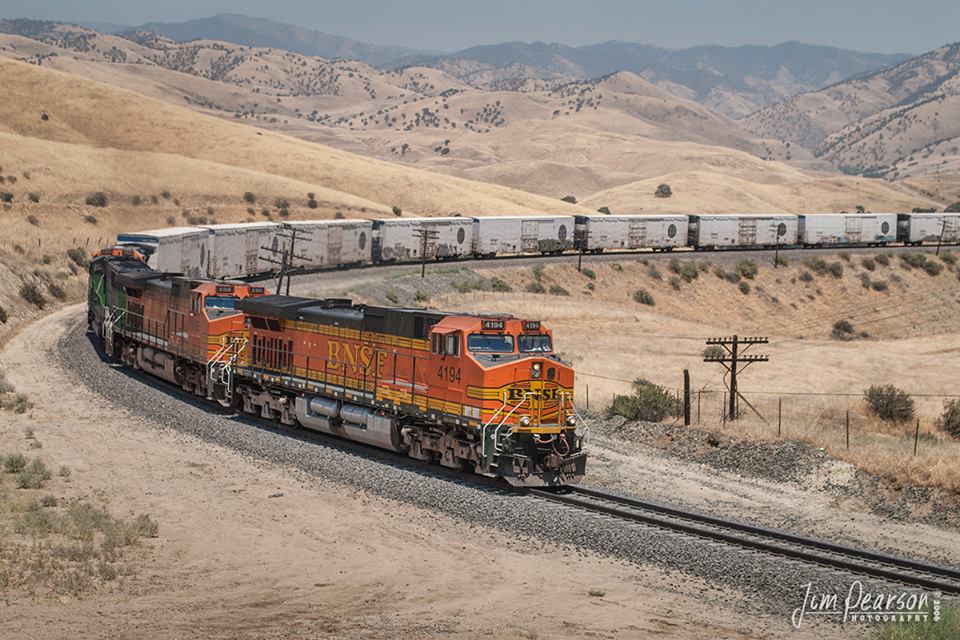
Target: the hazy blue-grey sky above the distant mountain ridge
pixel 869 25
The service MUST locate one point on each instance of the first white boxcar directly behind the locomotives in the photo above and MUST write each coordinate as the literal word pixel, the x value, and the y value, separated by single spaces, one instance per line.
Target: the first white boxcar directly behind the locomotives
pixel 172 250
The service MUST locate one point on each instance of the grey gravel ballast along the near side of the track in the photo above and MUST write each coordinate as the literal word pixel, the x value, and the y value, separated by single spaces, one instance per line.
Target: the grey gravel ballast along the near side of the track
pixel 773 583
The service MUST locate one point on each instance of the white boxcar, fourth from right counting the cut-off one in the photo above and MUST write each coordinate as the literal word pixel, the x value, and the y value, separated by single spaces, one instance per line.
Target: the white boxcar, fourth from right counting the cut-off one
pixel 597 233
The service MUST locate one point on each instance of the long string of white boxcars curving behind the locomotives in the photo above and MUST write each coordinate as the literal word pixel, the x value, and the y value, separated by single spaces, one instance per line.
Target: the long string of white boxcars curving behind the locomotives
pixel 242 250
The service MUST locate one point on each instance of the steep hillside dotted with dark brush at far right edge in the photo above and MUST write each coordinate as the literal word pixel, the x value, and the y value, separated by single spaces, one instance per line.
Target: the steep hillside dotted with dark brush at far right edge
pixel 898 122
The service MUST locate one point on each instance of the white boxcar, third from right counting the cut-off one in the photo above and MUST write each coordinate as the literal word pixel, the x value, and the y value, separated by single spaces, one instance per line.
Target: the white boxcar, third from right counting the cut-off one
pixel 743 230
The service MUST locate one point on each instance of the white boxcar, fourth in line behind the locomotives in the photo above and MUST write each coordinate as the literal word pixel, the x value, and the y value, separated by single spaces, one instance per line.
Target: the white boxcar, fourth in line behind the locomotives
pixel 403 238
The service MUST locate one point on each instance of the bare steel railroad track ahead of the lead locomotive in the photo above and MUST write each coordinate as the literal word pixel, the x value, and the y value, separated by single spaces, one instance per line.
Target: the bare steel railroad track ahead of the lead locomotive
pixel 811 550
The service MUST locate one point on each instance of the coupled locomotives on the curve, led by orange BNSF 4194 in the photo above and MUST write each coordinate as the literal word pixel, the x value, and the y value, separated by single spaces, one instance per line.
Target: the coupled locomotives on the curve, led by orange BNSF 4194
pixel 481 392
